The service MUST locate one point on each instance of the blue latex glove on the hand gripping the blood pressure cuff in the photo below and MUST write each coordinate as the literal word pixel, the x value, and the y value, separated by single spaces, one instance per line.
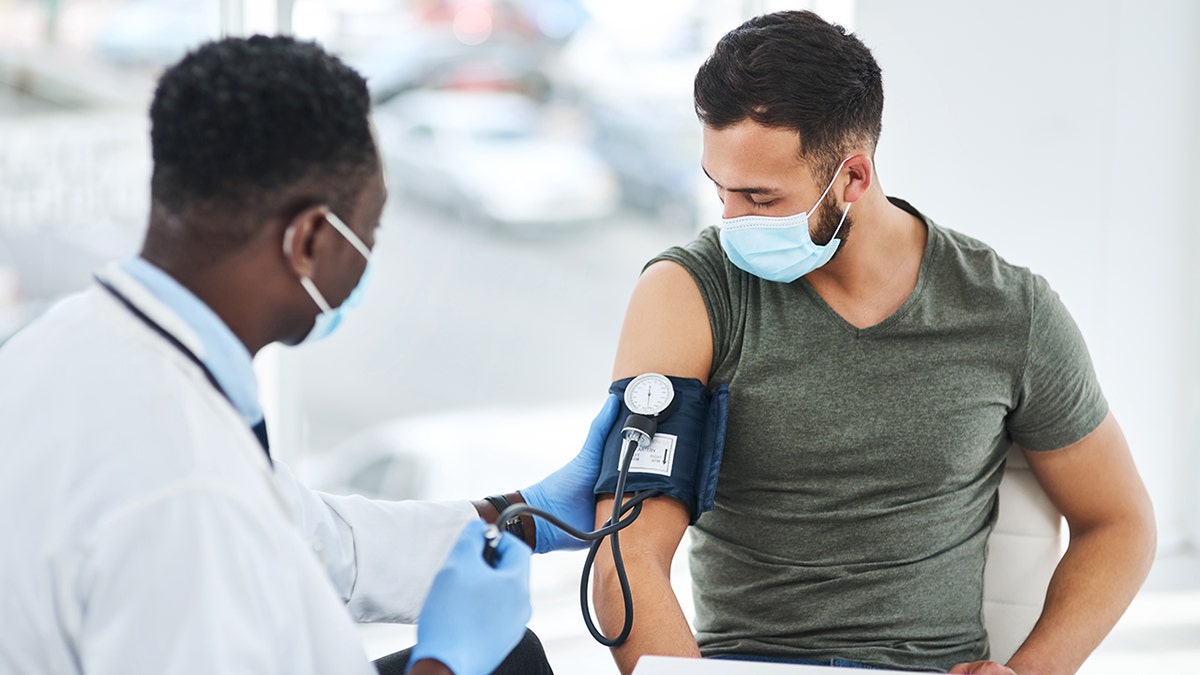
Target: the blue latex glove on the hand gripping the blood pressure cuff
pixel 571 492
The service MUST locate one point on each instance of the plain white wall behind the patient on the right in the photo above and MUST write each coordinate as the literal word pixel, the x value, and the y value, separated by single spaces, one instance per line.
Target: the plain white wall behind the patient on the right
pixel 1065 134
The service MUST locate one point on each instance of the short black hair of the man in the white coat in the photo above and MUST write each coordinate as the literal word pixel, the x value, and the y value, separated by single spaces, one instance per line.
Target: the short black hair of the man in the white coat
pixel 239 121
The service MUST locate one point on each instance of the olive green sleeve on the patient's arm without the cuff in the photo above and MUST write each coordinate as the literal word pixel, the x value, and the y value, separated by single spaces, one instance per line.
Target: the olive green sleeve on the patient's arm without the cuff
pixel 1059 401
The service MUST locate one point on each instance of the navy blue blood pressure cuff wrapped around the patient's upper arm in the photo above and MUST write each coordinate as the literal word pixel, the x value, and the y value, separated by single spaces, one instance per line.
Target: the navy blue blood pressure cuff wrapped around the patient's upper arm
pixel 686 453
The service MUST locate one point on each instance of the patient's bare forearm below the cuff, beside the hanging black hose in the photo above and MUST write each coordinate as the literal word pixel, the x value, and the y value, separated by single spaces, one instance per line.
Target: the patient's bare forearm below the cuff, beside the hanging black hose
pixel 659 624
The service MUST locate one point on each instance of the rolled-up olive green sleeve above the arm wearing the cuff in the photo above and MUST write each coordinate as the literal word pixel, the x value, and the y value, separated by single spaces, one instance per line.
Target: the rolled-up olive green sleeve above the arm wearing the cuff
pixel 707 265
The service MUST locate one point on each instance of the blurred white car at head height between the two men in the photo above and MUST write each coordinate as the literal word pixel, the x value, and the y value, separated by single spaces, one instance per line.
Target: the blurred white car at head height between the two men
pixel 488 157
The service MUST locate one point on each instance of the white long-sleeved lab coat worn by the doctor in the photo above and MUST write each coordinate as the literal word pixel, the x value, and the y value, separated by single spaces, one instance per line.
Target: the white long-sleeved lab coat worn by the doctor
pixel 143 529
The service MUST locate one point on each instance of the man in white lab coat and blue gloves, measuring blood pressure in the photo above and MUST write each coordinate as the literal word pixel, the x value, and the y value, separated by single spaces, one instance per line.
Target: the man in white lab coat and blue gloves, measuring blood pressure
pixel 146 527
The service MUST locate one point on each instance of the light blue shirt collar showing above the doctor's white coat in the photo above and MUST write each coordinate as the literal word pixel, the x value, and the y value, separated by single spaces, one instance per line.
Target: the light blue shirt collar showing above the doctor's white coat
pixel 225 355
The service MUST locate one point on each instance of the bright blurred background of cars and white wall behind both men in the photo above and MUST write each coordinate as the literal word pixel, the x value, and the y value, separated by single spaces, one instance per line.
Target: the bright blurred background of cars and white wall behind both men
pixel 541 152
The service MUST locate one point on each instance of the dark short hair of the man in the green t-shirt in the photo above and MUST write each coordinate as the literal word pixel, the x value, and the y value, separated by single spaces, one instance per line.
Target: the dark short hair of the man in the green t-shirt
pixel 794 70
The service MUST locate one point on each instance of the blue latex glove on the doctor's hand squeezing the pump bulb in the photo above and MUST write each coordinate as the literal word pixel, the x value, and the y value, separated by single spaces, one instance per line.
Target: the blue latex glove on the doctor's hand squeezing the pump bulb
pixel 475 614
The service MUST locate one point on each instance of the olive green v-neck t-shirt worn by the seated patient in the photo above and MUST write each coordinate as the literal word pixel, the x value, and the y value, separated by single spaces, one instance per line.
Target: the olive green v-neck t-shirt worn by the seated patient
pixel 859 483
